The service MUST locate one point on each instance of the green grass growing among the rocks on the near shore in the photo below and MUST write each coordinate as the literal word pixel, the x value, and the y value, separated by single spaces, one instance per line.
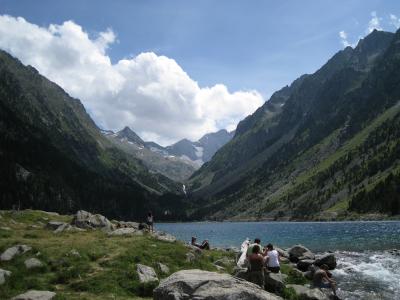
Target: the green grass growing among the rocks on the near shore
pixel 105 268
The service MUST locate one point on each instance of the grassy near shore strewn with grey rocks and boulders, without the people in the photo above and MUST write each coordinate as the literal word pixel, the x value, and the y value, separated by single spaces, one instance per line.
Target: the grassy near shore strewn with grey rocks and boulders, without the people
pixel 86 256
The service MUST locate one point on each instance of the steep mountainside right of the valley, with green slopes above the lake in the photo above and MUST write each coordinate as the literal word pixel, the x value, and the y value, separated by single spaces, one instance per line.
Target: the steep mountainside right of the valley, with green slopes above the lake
pixel 325 147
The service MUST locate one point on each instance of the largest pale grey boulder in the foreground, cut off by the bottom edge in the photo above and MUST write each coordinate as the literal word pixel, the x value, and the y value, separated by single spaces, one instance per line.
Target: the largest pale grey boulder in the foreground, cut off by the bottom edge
pixel 197 284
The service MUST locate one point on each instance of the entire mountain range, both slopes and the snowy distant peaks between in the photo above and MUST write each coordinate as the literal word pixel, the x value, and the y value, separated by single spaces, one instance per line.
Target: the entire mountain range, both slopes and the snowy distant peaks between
pixel 327 147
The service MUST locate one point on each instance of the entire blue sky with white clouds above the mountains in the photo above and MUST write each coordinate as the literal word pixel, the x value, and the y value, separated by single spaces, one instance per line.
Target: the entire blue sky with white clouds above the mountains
pixel 180 69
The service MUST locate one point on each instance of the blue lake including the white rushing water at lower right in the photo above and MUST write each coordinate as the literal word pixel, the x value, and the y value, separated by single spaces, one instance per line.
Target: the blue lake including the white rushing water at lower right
pixel 366 270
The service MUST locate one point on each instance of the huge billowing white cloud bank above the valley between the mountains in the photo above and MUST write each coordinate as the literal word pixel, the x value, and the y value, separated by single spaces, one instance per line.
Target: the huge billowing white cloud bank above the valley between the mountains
pixel 152 94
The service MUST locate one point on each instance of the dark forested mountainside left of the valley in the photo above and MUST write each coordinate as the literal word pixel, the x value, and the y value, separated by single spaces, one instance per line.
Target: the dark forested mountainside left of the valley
pixel 53 156
